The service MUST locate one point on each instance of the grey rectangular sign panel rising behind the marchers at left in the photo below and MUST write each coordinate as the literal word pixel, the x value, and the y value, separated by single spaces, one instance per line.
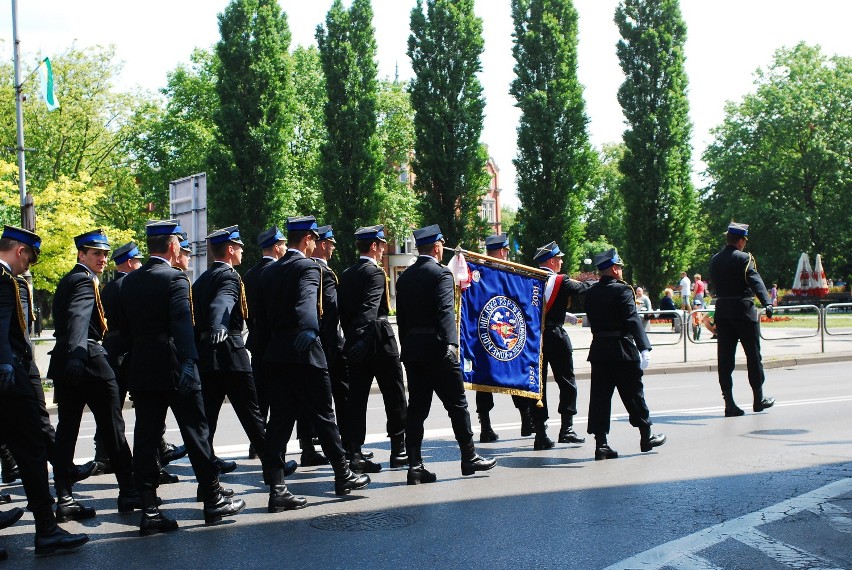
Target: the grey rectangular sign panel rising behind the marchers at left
pixel 188 203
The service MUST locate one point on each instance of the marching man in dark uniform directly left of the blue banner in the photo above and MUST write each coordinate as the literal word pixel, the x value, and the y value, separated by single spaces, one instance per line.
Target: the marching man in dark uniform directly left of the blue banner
pixel 430 352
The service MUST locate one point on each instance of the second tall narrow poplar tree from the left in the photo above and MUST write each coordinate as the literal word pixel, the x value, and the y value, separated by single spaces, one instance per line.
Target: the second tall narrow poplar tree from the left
pixel 351 166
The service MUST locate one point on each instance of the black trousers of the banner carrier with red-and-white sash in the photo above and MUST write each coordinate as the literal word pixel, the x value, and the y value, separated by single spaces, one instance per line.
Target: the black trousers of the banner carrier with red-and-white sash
pixel 558 354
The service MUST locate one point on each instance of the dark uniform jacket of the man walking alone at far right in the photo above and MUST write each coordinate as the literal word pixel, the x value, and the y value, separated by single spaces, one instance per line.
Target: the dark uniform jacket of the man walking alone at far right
pixel 736 281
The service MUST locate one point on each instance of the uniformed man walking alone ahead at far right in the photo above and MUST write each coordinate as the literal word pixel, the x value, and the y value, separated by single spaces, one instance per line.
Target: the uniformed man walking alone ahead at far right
pixel 734 275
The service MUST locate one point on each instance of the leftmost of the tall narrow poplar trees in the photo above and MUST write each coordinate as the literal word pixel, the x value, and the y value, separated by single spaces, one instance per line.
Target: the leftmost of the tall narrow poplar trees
pixel 254 118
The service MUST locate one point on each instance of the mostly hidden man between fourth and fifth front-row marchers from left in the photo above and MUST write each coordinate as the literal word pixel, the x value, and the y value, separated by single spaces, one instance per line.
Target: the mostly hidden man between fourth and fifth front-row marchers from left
pixel 274 245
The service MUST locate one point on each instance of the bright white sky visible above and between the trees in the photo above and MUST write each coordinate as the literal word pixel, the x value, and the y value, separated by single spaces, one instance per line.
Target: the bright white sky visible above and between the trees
pixel 727 40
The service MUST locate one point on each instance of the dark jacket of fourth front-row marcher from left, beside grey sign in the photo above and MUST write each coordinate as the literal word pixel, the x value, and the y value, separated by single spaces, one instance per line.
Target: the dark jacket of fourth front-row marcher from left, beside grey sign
pixel 219 301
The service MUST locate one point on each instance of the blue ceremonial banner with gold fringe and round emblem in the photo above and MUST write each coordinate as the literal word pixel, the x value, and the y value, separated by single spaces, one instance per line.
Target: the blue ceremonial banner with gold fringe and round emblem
pixel 500 320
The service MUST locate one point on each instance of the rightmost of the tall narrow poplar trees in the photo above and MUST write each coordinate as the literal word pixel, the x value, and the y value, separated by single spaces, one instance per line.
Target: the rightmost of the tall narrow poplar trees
pixel 659 198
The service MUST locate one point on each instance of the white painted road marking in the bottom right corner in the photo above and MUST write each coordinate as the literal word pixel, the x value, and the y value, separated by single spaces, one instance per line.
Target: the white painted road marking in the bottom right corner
pixel 681 553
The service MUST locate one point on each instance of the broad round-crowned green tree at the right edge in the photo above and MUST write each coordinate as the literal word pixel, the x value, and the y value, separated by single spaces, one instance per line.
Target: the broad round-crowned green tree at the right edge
pixel 780 162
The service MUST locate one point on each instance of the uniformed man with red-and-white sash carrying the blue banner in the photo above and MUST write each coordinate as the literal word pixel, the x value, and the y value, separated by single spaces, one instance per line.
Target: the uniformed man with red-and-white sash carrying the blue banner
pixel 557 351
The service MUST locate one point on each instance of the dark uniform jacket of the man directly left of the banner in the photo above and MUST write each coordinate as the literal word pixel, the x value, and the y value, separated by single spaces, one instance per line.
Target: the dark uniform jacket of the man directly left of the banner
pixel 425 311
